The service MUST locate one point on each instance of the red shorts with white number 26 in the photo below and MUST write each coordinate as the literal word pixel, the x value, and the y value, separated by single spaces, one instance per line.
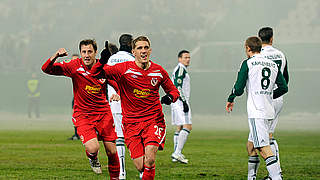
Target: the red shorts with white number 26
pixel 140 134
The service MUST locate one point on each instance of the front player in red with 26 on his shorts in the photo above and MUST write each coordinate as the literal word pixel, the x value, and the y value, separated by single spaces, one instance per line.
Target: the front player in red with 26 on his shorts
pixel 139 82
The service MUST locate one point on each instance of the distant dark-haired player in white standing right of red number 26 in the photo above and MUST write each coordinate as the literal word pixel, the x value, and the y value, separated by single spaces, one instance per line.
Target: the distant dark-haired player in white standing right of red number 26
pixel 180 110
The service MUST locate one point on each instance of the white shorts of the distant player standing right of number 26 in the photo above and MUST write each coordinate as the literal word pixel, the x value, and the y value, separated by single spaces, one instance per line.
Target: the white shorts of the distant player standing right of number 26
pixel 179 117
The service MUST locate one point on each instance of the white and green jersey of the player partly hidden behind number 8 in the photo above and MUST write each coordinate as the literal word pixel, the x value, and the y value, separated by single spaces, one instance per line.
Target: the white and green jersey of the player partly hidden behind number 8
pixel 278 57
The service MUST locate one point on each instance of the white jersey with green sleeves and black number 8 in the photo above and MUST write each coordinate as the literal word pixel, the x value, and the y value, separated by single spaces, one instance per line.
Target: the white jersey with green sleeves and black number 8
pixel 259 75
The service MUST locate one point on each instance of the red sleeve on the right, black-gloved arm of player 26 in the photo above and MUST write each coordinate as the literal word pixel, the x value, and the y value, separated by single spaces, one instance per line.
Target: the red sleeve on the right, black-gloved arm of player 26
pixel 168 86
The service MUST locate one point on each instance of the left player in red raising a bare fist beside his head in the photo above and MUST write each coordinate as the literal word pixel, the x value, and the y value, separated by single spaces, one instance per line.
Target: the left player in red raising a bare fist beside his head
pixel 92 115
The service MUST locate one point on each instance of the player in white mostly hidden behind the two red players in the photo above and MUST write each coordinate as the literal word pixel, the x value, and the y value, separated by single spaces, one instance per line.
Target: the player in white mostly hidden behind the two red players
pixel 123 55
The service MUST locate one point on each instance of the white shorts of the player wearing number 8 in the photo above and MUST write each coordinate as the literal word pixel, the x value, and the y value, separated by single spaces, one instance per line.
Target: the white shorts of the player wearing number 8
pixel 258 132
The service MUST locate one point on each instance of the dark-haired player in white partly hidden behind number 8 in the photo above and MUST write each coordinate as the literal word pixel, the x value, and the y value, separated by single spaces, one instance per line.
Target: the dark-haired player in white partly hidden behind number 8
pixel 269 52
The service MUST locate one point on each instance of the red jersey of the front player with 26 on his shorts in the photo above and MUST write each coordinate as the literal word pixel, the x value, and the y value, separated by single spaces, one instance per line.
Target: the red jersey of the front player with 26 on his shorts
pixel 139 89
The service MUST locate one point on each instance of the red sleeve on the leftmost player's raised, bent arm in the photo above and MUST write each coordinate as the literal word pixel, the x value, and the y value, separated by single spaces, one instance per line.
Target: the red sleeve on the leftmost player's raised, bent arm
pixel 57 68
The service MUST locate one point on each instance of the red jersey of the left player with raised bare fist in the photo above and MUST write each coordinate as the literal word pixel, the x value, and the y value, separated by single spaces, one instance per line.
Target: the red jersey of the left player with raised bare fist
pixel 89 93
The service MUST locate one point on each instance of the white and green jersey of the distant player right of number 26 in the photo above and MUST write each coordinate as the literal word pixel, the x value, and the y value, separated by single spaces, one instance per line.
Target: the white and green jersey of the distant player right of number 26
pixel 181 80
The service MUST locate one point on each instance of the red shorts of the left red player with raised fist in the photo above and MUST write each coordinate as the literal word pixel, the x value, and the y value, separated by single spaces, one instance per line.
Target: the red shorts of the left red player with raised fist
pixel 94 126
